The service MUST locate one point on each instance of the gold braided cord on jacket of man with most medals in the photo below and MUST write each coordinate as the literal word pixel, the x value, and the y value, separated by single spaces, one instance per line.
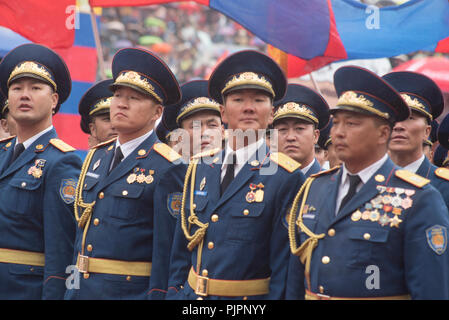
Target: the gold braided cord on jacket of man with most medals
pixel 306 249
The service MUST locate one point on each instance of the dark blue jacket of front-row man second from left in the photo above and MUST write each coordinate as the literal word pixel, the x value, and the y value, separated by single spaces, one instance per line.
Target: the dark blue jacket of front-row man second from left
pixel 121 226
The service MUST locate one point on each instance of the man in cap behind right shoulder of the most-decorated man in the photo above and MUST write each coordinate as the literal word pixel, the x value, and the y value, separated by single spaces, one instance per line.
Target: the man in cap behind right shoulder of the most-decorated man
pixel 426 103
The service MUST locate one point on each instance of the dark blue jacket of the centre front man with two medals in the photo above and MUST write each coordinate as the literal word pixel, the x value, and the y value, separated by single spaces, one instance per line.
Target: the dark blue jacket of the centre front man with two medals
pixel 237 246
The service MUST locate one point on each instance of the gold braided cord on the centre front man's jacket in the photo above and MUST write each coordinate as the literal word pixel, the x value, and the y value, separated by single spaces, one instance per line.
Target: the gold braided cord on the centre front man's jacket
pixel 199 234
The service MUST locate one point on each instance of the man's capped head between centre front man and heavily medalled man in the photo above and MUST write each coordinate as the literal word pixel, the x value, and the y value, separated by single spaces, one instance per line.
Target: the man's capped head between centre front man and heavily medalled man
pixel 298 119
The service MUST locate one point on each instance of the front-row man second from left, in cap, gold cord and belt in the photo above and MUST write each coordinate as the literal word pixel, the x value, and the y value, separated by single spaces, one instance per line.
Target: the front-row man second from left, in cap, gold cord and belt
pixel 115 202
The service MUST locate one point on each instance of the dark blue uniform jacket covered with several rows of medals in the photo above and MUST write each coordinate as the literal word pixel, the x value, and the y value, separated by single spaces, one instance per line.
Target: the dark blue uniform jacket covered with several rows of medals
pixel 410 259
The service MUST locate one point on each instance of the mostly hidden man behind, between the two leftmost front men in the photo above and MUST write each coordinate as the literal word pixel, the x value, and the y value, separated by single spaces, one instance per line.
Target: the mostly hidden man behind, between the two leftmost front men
pixel 94 109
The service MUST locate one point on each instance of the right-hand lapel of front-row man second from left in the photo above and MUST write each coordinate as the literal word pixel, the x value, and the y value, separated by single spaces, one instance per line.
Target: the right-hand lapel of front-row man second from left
pixel 128 163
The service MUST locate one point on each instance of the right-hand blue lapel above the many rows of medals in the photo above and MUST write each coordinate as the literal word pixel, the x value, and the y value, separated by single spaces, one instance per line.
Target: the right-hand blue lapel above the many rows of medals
pixel 367 192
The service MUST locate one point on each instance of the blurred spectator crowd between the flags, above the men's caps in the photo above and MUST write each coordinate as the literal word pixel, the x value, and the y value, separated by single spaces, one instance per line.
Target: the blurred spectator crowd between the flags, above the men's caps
pixel 189 37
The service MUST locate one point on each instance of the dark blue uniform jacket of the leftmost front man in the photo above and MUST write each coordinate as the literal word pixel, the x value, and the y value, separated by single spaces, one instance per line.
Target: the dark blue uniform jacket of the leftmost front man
pixel 36 214
